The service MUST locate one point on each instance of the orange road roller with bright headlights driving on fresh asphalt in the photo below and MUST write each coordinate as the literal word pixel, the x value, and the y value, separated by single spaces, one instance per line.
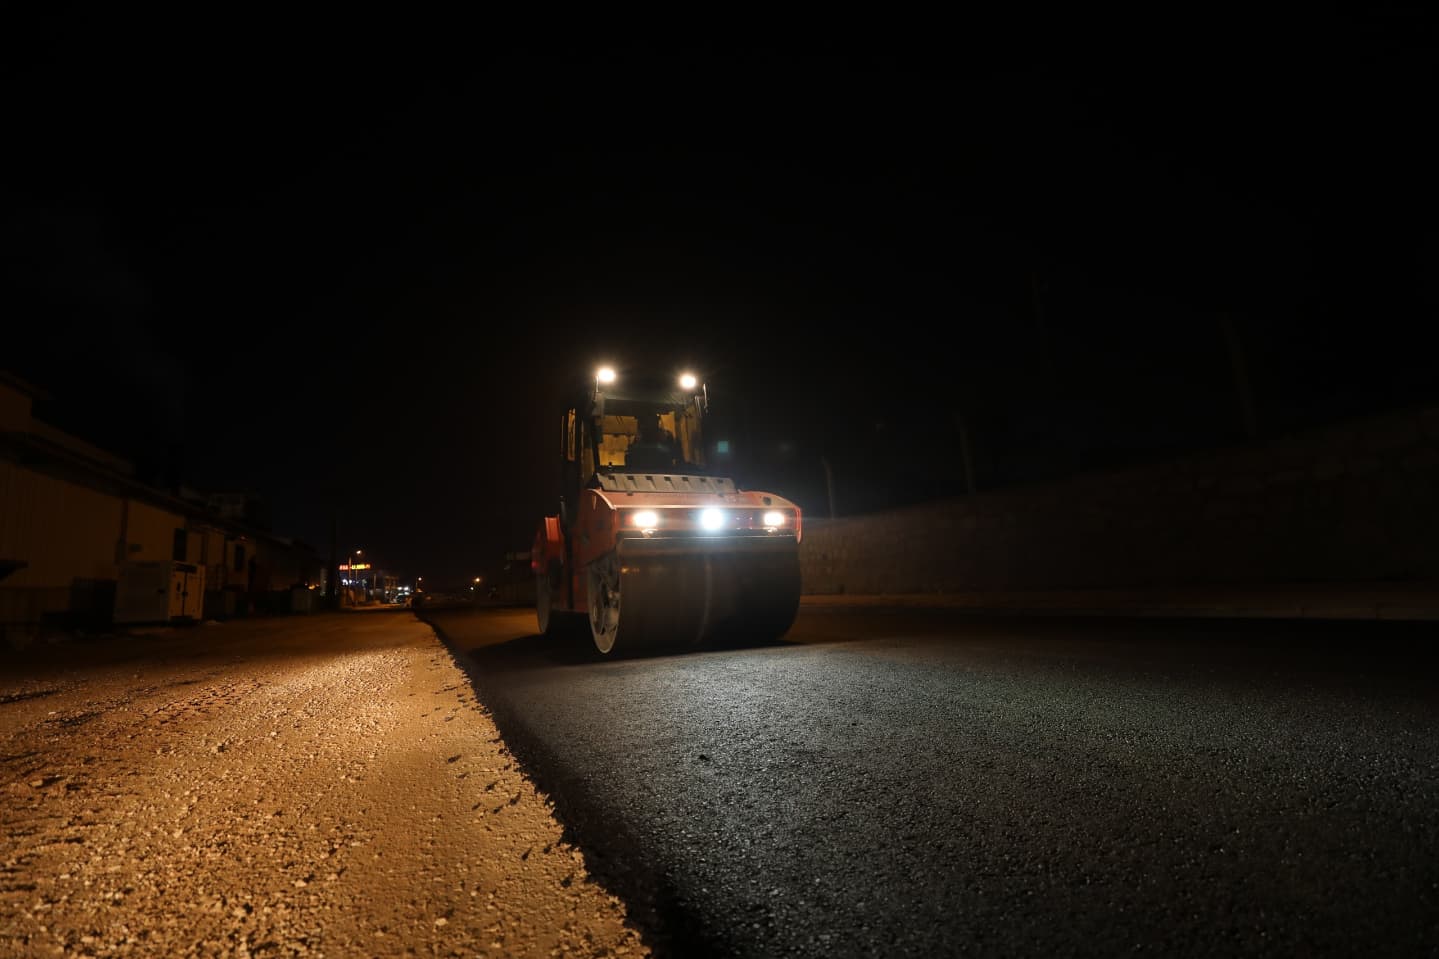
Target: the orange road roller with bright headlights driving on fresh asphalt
pixel 651 548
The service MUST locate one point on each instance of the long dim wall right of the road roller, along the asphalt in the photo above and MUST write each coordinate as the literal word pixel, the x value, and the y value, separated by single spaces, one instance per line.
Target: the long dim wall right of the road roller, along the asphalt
pixel 1355 502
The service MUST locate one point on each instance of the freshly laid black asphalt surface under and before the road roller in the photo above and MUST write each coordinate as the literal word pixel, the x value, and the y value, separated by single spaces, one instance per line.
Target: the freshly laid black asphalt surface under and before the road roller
pixel 923 783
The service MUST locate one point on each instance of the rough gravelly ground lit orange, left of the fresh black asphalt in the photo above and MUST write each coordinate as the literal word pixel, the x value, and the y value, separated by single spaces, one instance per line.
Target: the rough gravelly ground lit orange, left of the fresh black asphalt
pixel 316 785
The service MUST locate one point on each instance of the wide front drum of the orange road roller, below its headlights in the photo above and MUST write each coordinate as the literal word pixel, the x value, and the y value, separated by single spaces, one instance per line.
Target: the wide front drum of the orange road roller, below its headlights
pixel 677 601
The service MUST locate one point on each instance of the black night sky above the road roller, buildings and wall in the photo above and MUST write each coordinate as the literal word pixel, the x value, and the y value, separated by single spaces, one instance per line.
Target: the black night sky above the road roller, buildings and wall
pixel 348 271
